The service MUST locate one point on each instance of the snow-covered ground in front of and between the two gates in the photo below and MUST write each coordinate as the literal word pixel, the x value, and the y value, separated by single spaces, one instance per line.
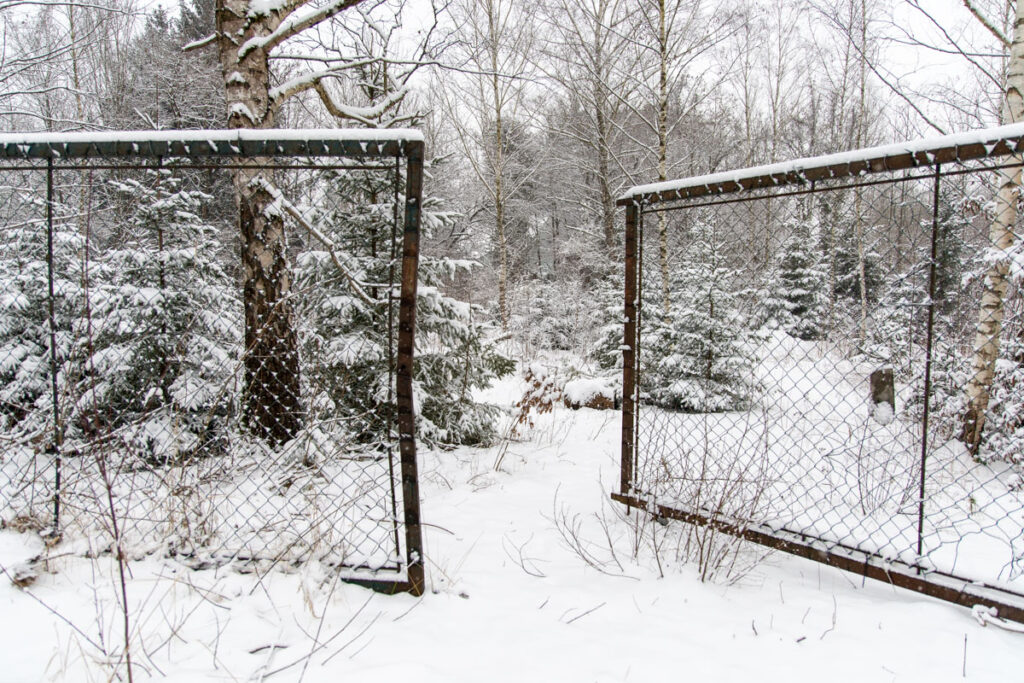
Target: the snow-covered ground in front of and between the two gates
pixel 508 600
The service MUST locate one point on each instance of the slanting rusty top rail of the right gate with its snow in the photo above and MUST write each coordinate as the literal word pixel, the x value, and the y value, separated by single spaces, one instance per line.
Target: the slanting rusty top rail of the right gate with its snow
pixel 997 142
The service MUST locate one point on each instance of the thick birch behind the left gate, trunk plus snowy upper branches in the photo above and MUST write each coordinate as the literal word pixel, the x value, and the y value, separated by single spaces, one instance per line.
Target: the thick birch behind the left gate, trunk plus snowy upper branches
pixel 248 34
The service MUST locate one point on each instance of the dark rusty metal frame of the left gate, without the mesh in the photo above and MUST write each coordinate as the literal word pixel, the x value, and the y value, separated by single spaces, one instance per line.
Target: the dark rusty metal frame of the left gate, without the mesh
pixel 231 149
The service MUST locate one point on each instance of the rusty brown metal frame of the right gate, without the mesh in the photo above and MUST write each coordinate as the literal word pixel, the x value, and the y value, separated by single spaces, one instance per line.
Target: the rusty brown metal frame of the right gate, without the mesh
pixel 793 180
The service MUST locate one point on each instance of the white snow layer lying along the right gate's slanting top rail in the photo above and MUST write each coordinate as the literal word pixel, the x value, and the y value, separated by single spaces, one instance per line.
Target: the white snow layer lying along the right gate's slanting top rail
pixel 985 137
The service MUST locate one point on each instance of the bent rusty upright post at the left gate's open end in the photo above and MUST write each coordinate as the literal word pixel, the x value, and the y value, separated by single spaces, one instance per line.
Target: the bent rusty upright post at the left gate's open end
pixel 404 376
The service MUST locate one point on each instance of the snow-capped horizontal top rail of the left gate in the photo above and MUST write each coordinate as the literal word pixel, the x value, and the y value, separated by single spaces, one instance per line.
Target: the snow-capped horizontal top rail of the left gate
pixel 237 143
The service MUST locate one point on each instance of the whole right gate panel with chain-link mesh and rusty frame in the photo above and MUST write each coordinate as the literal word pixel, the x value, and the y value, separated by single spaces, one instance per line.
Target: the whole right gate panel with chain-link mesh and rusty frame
pixel 819 347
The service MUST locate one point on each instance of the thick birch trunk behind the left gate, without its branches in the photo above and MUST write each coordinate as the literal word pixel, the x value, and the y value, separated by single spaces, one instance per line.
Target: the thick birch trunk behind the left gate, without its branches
pixel 272 403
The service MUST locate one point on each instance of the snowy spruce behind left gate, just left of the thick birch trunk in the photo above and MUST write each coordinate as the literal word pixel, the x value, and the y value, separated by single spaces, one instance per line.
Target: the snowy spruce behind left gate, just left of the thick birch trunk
pixel 162 339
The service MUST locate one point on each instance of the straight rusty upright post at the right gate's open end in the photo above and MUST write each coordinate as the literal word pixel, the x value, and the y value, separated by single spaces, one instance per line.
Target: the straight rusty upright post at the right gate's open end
pixel 629 349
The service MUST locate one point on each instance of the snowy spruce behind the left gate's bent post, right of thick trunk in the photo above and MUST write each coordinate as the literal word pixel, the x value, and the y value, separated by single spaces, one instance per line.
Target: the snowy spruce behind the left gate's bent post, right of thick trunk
pixel 347 318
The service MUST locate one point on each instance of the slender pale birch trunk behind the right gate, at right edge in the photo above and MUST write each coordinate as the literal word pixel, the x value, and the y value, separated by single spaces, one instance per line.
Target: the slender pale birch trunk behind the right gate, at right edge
pixel 1001 236
